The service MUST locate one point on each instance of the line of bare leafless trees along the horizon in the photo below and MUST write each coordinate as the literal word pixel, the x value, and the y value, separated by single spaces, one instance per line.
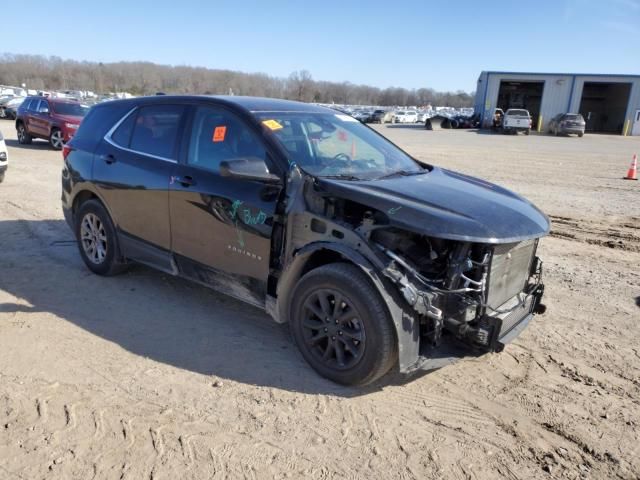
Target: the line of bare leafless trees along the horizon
pixel 142 78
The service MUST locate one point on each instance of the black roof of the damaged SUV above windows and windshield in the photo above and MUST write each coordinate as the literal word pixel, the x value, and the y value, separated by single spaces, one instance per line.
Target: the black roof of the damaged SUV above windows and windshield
pixel 248 104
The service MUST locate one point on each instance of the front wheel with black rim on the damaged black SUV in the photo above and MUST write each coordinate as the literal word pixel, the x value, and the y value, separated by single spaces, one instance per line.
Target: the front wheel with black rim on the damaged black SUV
pixel 341 325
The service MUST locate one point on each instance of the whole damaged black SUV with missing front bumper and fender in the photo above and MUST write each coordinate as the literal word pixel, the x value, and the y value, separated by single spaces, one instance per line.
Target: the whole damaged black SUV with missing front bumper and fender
pixel 375 260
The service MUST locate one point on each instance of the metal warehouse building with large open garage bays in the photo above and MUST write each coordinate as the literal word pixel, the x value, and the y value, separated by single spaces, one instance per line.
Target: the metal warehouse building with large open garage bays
pixel 608 103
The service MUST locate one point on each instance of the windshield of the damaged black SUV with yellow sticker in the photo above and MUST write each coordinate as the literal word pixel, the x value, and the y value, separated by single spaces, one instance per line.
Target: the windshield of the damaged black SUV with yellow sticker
pixel 329 145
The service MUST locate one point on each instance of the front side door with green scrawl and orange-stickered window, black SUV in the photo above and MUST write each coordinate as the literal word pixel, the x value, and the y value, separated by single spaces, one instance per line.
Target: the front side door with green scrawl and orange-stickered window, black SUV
pixel 220 226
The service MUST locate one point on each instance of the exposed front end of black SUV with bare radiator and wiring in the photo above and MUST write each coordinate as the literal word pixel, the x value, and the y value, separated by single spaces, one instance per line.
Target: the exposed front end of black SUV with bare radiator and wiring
pixel 476 292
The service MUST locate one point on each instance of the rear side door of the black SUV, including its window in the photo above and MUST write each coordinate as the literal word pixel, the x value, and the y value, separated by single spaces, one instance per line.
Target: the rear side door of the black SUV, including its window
pixel 132 168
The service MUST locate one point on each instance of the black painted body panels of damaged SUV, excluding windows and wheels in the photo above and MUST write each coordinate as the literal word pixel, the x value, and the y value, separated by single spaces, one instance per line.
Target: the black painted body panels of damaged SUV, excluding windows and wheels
pixel 206 229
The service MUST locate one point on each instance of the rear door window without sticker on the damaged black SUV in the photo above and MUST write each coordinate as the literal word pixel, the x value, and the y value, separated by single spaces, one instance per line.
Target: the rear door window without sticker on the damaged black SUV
pixel 156 130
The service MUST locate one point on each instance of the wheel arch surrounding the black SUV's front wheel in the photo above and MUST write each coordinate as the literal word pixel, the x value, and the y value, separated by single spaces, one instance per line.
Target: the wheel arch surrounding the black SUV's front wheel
pixel 323 253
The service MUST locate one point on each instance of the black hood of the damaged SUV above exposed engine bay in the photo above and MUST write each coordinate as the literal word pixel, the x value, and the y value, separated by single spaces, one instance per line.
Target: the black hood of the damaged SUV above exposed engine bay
pixel 445 204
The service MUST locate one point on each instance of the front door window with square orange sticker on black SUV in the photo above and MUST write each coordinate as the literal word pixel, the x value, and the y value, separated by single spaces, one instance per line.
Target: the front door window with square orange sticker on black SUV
pixel 218 135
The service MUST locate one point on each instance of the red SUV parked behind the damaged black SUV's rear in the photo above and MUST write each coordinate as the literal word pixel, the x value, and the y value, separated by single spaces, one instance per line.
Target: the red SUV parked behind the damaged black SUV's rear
pixel 52 119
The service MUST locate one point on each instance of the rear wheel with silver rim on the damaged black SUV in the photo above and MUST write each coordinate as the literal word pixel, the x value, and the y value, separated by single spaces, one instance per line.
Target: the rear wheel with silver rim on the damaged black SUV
pixel 97 239
